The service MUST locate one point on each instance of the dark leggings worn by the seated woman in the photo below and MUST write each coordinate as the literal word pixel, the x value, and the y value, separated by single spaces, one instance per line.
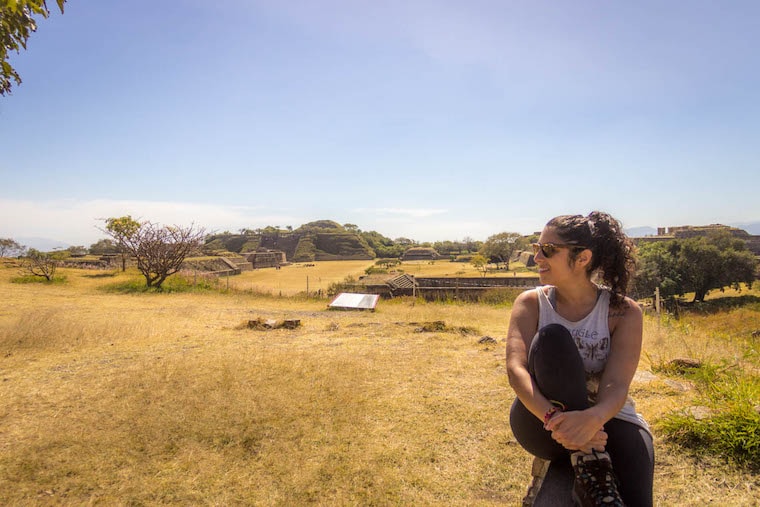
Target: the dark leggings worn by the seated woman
pixel 557 368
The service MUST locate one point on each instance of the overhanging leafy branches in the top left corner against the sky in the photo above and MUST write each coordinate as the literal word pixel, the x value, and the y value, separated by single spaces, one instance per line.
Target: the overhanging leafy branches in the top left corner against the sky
pixel 16 25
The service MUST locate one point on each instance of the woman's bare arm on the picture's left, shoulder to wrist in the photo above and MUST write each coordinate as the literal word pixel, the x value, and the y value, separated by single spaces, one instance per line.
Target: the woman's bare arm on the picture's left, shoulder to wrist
pixel 523 324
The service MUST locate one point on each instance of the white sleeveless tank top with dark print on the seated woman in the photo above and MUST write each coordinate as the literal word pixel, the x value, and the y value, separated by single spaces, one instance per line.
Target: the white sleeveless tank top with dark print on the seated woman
pixel 592 337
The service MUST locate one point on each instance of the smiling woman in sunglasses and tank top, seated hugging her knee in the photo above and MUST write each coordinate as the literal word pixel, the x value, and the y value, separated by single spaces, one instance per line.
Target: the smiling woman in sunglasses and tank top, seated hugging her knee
pixel 572 350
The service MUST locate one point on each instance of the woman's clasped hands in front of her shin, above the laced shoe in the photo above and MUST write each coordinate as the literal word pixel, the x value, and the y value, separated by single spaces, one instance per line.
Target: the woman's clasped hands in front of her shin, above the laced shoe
pixel 577 430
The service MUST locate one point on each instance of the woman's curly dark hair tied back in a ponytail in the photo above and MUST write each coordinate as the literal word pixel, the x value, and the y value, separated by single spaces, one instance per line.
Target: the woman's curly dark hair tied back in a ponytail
pixel 613 253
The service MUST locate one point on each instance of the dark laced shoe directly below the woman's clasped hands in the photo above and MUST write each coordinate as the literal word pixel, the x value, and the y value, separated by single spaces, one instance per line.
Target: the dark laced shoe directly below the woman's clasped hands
pixel 595 482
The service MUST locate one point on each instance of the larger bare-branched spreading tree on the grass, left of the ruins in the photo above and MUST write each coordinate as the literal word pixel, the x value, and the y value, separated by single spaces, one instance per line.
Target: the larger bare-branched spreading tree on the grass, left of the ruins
pixel 159 250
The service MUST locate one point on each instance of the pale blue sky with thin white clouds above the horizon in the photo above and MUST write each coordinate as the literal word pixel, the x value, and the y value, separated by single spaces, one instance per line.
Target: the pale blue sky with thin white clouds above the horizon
pixel 425 119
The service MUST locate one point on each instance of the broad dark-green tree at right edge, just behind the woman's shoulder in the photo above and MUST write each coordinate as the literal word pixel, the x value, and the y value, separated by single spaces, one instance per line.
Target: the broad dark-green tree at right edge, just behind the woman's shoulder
pixel 698 265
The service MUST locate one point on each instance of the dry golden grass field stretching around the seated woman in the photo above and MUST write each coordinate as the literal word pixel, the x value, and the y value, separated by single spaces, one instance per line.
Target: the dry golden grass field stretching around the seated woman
pixel 169 399
